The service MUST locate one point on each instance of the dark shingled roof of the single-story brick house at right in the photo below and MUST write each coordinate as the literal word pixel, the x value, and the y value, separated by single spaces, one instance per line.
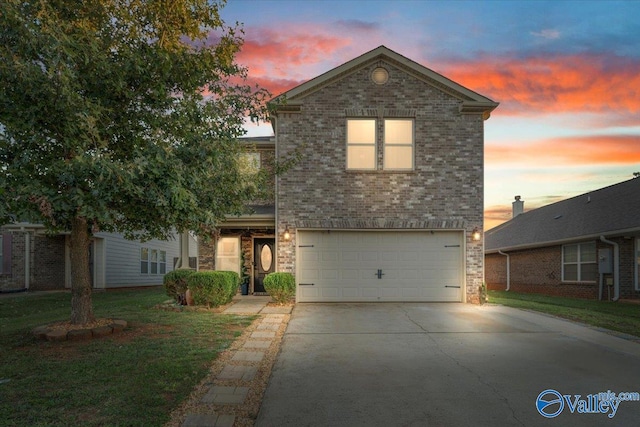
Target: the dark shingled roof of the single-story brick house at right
pixel 609 211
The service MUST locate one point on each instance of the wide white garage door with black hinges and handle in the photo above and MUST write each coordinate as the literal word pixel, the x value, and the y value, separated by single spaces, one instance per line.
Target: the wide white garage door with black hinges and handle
pixel 379 266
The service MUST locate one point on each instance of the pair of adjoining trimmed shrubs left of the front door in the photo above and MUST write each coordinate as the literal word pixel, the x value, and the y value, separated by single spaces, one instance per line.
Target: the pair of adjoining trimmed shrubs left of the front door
pixel 210 288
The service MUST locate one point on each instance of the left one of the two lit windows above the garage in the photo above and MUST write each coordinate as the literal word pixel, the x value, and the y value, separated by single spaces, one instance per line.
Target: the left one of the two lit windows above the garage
pixel 361 144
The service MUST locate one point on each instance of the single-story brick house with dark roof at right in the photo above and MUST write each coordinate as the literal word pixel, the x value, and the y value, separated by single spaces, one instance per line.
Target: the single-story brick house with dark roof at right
pixel 587 246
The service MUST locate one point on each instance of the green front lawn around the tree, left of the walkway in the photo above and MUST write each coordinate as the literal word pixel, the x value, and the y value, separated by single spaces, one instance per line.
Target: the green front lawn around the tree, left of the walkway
pixel 134 378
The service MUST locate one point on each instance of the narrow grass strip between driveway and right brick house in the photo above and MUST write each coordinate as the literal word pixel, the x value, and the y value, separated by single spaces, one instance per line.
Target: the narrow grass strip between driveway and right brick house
pixel 621 317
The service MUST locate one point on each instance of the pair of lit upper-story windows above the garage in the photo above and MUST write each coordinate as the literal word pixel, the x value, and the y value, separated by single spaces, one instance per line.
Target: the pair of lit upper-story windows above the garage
pixel 397 142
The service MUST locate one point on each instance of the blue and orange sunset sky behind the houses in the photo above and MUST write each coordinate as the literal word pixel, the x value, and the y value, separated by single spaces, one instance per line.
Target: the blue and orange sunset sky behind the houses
pixel 566 74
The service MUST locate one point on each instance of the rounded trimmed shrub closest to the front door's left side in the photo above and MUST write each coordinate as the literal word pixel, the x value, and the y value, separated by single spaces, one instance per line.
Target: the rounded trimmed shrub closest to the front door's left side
pixel 213 288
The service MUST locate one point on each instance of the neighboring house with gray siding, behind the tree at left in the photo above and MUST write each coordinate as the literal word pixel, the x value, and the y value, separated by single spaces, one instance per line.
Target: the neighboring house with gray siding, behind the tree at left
pixel 34 260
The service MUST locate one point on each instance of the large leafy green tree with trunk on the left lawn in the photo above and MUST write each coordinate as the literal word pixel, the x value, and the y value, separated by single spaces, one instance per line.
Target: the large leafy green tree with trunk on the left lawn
pixel 120 115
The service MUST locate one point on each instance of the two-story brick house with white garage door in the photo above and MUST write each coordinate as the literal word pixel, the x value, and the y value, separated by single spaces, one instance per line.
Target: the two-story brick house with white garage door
pixel 387 196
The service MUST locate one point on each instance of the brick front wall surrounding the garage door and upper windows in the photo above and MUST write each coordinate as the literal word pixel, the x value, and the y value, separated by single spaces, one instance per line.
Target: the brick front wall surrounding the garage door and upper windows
pixel 444 191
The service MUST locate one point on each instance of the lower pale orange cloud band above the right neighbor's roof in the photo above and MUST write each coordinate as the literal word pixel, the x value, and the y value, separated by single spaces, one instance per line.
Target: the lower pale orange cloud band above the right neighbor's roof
pixel 576 150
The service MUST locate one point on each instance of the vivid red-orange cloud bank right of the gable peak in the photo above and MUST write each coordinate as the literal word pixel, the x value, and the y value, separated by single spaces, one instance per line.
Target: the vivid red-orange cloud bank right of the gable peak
pixel 571 83
